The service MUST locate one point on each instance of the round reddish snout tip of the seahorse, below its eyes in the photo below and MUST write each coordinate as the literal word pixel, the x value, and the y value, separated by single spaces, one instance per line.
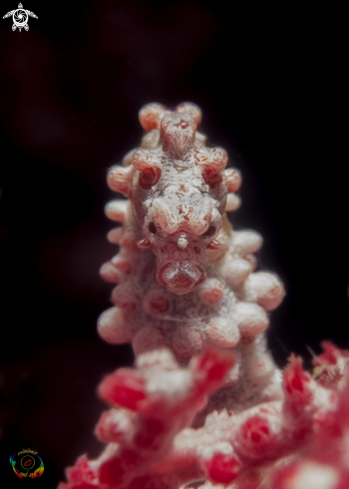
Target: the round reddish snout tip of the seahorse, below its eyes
pixel 181 277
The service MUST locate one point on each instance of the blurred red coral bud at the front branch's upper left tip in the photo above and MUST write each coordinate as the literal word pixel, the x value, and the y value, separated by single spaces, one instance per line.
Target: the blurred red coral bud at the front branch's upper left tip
pixel 124 388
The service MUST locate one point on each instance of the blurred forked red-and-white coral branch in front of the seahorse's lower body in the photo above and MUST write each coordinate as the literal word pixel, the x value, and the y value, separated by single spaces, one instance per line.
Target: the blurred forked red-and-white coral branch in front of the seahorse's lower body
pixel 157 401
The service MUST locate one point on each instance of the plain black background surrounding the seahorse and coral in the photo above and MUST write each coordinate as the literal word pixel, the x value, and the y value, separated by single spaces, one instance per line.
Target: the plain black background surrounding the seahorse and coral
pixel 270 82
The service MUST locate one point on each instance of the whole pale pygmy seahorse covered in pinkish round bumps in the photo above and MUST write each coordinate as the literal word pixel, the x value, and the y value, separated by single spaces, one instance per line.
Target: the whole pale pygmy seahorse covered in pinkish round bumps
pixel 185 278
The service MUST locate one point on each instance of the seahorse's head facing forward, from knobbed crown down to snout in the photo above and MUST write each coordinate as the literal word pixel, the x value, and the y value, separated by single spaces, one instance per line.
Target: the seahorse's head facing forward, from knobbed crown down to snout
pixel 179 194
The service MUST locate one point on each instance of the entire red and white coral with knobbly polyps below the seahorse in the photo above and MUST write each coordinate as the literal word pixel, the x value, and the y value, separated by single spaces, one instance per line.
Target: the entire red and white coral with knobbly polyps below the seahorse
pixel 151 445
